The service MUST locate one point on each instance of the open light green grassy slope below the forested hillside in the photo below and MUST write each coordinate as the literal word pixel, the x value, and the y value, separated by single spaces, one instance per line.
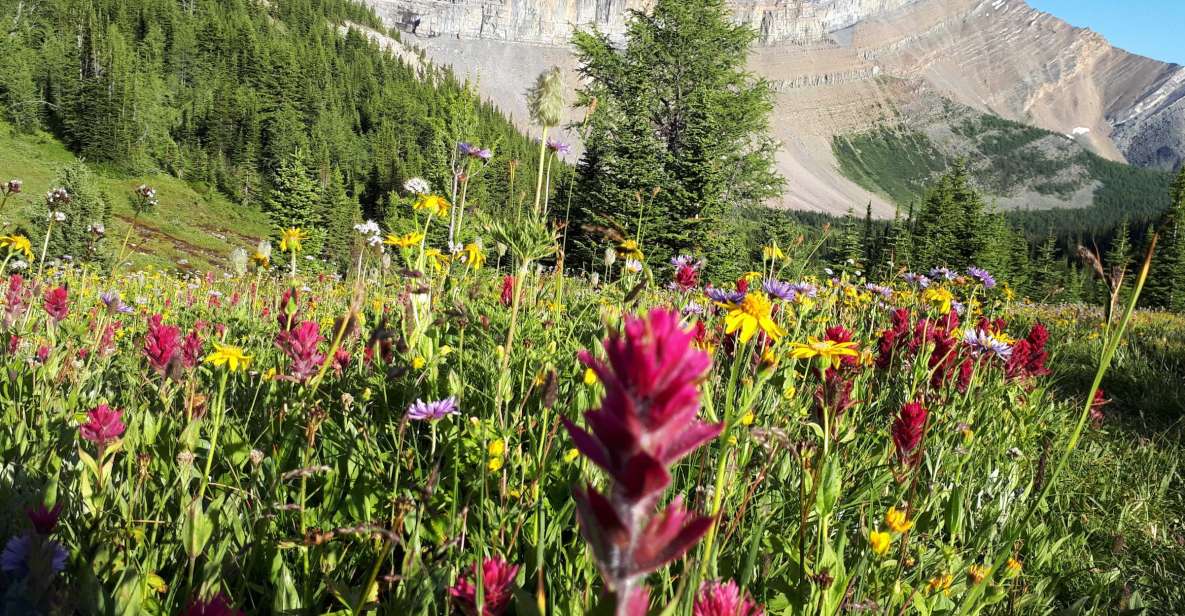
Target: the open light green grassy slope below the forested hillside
pixel 191 229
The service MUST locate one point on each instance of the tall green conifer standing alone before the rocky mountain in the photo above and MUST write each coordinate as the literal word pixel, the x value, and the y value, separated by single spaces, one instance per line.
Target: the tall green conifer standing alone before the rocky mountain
pixel 676 112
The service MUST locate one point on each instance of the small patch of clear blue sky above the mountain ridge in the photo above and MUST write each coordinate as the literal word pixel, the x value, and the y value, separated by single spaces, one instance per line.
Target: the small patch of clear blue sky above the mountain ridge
pixel 1150 28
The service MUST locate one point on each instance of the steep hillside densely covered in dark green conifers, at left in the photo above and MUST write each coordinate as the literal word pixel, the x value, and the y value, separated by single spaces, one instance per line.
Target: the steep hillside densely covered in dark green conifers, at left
pixel 226 93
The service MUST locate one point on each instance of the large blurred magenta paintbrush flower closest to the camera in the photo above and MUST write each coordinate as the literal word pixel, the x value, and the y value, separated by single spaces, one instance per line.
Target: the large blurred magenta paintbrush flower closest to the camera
pixel 646 423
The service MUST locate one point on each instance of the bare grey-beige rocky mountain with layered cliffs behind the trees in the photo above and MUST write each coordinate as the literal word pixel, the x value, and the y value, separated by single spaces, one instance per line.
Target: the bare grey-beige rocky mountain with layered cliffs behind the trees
pixel 848 70
